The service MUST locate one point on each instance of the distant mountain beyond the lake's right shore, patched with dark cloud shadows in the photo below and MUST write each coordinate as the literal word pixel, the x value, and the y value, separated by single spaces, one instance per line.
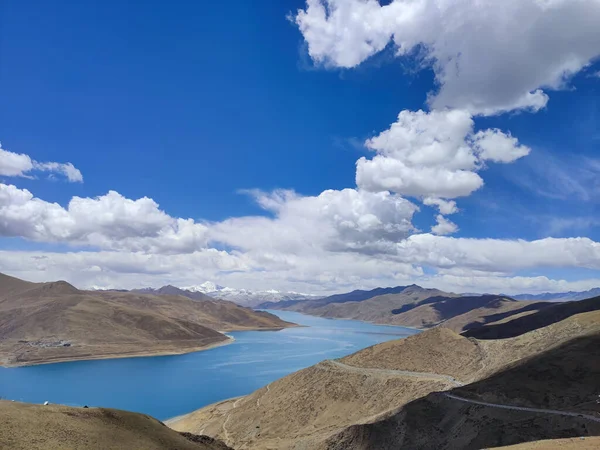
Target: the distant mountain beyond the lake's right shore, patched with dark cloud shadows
pixel 414 306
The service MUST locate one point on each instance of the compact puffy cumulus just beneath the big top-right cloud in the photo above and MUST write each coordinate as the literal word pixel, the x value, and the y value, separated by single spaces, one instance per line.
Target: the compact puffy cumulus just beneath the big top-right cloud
pixel 434 154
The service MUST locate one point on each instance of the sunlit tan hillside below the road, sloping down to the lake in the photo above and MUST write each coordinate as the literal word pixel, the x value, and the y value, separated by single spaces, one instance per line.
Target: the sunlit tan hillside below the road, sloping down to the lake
pixel 305 408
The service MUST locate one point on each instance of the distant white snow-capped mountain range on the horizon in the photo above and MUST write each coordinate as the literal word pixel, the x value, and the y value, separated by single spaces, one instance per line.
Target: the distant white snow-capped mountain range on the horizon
pixel 246 297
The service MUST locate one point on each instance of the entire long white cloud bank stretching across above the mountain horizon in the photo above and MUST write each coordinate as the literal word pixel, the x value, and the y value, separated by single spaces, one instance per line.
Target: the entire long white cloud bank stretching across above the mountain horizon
pixel 349 238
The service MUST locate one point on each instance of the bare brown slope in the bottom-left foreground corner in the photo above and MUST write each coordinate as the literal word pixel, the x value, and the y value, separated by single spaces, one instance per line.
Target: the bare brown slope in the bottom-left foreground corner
pixel 62 427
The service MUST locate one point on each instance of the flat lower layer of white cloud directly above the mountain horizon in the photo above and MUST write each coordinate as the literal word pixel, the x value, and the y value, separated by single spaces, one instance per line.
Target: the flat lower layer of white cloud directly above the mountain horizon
pixel 322 273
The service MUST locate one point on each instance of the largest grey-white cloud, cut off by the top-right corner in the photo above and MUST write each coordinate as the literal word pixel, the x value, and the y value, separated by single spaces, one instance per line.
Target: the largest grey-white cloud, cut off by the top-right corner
pixel 488 57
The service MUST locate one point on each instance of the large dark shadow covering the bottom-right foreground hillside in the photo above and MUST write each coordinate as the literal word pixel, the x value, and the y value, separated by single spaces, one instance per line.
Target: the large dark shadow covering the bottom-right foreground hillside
pixel 565 378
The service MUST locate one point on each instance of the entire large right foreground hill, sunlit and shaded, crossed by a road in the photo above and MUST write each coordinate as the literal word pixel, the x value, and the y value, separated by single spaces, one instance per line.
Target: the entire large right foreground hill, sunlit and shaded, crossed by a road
pixel 434 390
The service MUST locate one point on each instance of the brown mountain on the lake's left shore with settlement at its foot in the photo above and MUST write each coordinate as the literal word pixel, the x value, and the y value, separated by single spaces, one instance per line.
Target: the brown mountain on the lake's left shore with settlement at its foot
pixel 49 322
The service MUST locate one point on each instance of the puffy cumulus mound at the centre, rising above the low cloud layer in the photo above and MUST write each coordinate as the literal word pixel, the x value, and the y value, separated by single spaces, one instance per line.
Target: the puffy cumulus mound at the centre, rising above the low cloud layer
pixel 349 219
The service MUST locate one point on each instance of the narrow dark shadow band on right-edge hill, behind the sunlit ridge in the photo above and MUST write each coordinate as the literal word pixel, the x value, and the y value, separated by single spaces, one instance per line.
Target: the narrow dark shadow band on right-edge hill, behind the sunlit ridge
pixel 547 316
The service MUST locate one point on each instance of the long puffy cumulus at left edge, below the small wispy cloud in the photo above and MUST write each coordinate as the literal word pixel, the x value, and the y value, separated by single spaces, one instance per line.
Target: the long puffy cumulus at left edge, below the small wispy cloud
pixel 108 221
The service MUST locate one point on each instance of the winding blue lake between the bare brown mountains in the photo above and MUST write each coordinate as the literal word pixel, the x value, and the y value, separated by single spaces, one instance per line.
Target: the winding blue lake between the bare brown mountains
pixel 167 386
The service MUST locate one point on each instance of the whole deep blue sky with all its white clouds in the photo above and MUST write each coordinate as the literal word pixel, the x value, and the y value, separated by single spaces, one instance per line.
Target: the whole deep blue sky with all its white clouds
pixel 316 147
